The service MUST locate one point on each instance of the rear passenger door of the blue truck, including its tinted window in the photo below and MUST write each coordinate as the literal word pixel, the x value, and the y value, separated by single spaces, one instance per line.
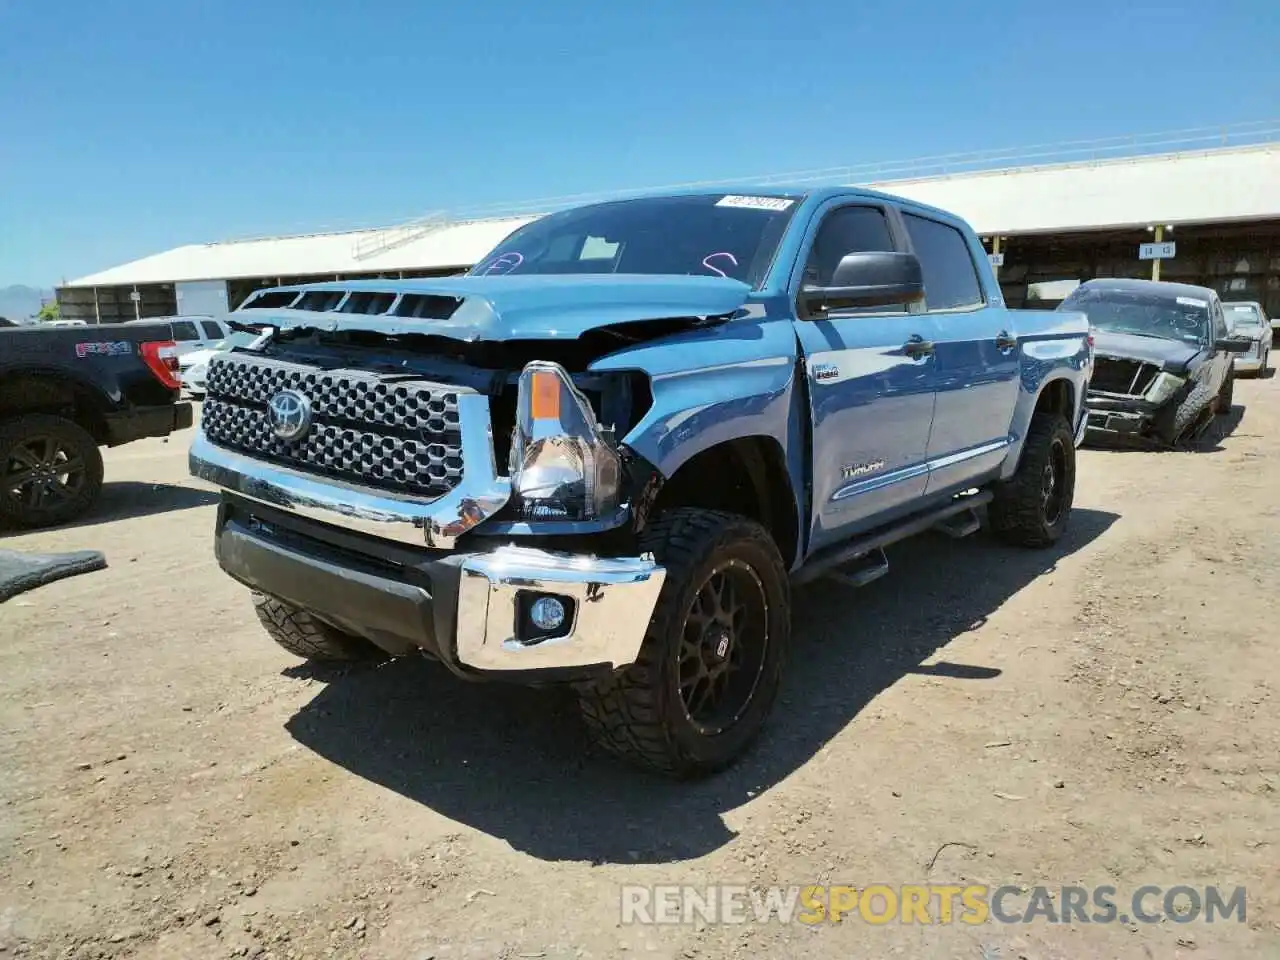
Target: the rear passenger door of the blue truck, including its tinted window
pixel 977 355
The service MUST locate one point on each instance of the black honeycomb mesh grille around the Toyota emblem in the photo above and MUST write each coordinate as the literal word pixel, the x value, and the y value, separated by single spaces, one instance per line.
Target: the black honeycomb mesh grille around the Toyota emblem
pixel 388 433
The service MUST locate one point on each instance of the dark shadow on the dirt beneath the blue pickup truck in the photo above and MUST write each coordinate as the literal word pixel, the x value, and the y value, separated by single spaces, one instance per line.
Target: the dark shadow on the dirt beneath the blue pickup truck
pixel 516 764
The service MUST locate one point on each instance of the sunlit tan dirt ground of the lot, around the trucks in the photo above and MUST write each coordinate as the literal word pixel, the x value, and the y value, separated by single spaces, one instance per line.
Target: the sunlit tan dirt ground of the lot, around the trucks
pixel 1101 714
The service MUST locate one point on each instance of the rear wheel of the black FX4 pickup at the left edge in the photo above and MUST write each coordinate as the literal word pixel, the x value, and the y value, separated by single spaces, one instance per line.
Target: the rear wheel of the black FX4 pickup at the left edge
pixel 51 470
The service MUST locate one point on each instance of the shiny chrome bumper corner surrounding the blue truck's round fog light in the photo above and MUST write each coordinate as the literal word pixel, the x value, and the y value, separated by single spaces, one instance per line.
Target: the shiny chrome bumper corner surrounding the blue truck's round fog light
pixel 612 598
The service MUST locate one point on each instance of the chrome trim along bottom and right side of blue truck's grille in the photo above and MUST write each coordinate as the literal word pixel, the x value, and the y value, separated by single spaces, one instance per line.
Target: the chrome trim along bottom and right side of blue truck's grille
pixel 415 522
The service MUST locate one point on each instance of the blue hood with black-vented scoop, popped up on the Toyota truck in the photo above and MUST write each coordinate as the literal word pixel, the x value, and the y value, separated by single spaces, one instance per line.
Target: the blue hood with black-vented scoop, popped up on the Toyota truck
pixel 527 308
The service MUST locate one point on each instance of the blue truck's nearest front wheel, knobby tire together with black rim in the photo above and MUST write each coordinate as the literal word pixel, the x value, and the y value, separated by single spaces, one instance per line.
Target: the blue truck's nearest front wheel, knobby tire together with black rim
pixel 712 657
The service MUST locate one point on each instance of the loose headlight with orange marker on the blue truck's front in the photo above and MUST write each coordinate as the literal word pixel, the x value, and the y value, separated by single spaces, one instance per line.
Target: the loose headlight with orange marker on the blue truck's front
pixel 563 467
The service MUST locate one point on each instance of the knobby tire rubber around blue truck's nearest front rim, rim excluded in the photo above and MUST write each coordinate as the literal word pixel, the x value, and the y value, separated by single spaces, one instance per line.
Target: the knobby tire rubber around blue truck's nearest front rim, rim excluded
pixel 638 714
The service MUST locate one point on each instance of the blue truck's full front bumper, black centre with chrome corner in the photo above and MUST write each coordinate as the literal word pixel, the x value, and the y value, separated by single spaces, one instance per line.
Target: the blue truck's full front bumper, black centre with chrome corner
pixel 469 610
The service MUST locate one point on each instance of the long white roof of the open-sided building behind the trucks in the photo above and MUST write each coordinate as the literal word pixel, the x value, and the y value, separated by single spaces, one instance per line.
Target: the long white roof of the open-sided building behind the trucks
pixel 1204 186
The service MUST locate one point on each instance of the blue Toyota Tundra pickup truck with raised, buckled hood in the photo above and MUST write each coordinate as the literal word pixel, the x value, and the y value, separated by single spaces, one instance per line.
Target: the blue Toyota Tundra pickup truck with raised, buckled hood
pixel 606 455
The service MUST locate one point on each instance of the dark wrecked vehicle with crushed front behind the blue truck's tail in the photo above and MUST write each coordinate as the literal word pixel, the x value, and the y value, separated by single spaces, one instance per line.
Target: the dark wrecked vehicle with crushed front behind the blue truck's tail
pixel 1163 359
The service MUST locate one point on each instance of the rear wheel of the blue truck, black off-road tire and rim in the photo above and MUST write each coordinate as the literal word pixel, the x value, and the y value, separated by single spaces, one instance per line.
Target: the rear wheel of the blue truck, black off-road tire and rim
pixel 1032 509
